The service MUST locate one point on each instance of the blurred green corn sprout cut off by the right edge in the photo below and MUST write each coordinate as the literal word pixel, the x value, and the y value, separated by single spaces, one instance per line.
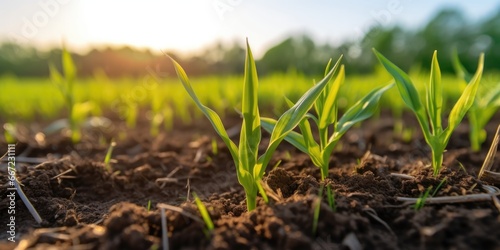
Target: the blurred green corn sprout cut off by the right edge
pixel 483 109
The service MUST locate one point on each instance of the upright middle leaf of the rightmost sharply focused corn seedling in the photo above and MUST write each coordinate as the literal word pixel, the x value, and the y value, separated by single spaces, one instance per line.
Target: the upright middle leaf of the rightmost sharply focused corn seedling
pixel 435 96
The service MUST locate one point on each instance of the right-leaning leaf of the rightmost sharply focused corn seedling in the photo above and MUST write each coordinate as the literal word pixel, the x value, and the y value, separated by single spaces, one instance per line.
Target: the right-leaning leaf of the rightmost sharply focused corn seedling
pixel 466 99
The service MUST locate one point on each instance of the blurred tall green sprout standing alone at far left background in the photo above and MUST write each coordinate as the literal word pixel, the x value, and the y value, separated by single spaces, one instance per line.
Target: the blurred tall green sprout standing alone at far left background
pixel 65 84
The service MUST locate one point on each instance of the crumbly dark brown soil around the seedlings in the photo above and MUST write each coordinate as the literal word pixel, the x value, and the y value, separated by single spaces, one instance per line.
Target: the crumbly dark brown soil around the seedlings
pixel 86 206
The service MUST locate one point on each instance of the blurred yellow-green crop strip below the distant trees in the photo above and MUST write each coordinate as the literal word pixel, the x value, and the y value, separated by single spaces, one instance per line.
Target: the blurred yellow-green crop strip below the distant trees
pixel 23 99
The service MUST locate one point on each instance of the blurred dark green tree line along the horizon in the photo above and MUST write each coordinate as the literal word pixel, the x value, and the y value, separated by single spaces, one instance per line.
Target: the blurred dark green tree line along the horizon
pixel 445 32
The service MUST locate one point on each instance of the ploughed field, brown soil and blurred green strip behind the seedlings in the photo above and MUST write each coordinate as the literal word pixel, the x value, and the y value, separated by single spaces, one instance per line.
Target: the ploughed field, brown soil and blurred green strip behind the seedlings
pixel 166 150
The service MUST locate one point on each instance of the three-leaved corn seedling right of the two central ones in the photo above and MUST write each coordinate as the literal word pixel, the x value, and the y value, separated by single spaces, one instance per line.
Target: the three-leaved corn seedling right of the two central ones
pixel 429 116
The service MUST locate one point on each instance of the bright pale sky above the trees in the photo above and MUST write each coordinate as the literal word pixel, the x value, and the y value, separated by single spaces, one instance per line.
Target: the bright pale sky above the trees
pixel 191 24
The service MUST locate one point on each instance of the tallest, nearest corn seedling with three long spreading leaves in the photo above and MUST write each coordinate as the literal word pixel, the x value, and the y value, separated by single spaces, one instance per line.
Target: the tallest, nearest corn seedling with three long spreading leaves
pixel 250 167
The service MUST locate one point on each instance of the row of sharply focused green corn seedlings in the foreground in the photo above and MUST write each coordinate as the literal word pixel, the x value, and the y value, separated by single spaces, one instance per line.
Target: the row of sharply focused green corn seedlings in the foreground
pixel 323 98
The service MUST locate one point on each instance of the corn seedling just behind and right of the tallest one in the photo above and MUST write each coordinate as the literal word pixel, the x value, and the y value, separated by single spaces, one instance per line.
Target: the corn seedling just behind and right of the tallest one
pixel 326 109
